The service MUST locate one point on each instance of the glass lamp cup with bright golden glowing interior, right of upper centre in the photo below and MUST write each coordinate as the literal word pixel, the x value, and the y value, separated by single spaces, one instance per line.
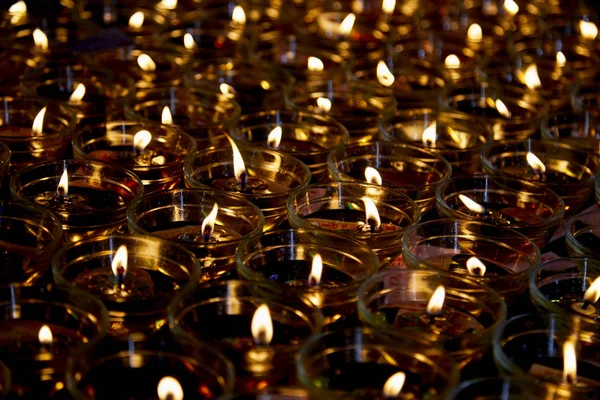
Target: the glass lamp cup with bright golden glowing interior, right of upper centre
pixel 460 137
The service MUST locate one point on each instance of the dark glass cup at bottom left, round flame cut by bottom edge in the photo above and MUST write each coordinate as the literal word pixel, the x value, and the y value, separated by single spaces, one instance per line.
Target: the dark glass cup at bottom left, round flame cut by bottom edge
pixel 201 371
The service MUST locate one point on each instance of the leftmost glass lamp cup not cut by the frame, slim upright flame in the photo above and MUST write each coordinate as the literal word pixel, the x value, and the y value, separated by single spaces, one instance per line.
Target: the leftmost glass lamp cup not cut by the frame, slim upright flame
pixel 94 203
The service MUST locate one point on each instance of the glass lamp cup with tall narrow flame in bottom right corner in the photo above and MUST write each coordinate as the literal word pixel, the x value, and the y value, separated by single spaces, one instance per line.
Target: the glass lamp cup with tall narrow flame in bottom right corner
pixel 532 345
